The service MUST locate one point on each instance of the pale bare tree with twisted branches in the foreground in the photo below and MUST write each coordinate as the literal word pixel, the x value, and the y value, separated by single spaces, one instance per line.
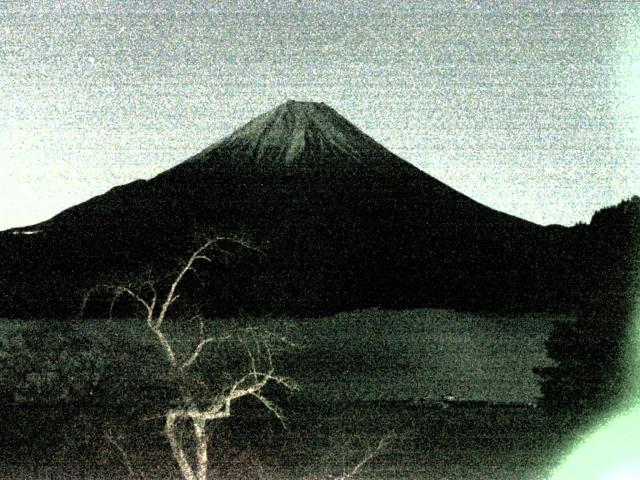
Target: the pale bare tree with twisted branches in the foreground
pixel 194 409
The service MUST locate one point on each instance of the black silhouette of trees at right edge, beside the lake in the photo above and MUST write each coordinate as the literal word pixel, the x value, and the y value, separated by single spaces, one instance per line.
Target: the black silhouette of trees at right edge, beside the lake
pixel 592 352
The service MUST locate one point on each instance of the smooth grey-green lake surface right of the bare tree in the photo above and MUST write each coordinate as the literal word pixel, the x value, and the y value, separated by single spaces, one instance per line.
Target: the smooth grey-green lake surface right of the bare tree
pixel 420 354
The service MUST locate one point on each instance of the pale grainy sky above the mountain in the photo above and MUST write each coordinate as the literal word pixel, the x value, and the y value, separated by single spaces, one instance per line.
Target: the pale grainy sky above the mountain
pixel 531 107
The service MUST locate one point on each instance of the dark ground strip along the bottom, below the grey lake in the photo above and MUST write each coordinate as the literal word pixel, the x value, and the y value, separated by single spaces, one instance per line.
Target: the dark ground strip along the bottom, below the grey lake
pixel 322 441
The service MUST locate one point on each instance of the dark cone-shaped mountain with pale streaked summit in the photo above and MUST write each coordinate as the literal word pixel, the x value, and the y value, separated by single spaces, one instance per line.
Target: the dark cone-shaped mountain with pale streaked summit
pixel 341 223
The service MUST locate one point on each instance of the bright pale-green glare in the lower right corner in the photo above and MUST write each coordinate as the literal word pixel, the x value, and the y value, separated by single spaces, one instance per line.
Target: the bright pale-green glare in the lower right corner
pixel 611 451
